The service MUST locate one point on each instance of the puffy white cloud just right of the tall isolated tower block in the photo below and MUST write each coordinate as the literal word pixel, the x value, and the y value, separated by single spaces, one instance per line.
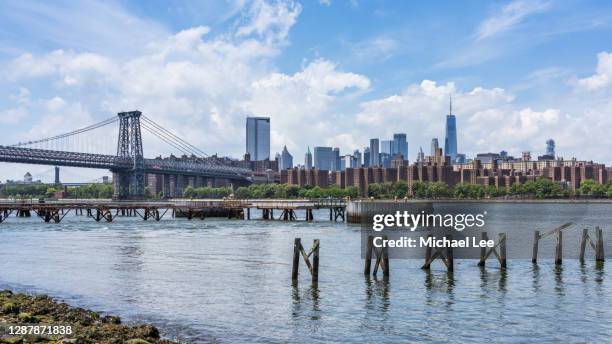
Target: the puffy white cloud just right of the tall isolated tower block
pixel 302 105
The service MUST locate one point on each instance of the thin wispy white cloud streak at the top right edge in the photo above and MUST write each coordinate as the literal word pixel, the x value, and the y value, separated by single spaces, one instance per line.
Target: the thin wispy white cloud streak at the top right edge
pixel 509 16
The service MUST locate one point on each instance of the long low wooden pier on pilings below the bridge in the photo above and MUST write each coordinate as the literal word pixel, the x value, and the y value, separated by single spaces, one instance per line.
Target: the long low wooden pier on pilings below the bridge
pixel 107 210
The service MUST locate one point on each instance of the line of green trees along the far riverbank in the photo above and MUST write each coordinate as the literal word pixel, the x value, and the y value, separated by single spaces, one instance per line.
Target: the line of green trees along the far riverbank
pixel 540 188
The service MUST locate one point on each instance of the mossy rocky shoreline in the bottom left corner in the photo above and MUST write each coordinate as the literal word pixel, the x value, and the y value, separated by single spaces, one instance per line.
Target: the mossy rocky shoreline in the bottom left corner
pixel 86 326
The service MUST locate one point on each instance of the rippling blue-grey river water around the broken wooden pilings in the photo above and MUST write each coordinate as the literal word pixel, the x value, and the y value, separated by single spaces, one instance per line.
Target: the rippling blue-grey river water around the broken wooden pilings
pixel 229 281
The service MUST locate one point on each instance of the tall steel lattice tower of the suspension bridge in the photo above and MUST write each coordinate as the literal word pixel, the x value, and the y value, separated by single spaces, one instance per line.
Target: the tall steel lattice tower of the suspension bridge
pixel 130 184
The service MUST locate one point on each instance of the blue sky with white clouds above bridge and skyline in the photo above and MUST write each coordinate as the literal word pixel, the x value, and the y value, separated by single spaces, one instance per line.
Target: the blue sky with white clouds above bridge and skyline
pixel 328 73
